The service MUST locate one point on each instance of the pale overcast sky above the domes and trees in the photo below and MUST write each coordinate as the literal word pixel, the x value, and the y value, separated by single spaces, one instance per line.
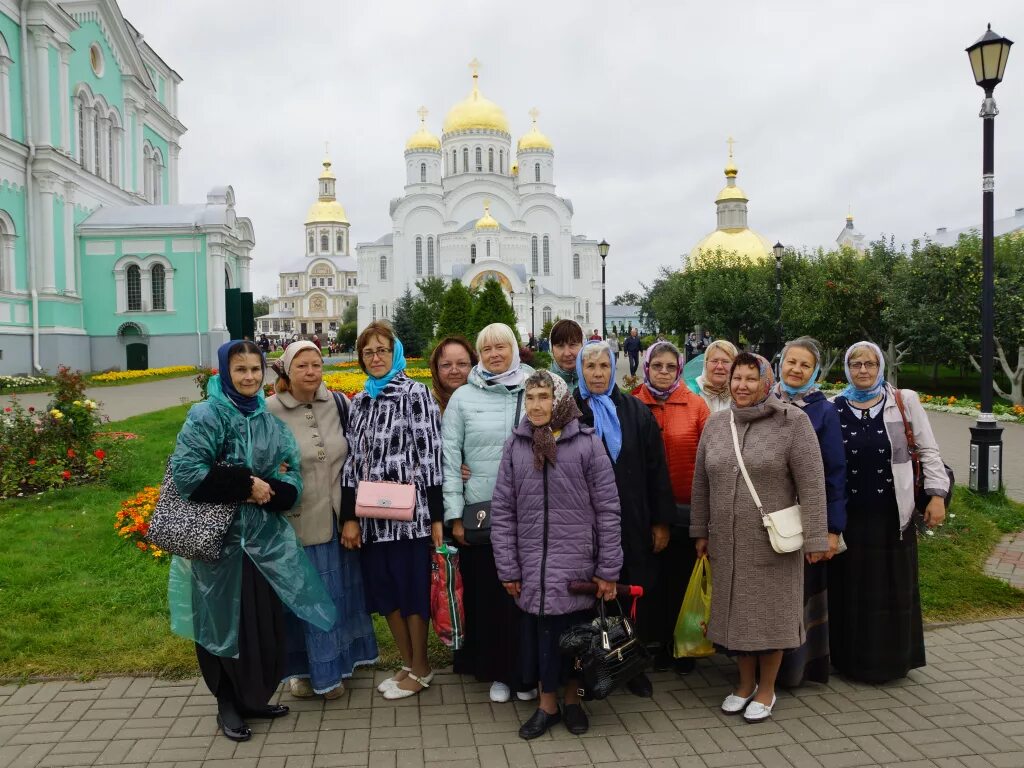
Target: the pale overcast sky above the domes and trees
pixel 867 105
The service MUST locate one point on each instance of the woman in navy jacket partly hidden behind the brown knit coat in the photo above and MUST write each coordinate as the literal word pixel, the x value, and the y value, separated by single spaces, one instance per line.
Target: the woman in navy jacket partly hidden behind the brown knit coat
pixel 800 368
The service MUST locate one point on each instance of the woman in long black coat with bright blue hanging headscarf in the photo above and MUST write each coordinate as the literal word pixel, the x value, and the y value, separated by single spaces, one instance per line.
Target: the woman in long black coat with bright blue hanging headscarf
pixel 634 443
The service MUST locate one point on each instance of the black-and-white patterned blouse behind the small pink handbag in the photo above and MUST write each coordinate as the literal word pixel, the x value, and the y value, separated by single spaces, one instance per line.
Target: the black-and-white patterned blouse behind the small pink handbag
pixel 396 438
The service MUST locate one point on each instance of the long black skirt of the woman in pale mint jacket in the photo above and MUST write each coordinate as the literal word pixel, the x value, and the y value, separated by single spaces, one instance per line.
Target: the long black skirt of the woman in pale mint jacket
pixel 491 653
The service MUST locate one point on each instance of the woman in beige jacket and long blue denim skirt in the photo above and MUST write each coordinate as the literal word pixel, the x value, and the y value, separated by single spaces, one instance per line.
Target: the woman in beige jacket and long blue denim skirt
pixel 320 662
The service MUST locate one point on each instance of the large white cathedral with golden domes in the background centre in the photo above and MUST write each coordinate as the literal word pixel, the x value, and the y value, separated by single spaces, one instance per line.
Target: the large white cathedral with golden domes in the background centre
pixel 474 211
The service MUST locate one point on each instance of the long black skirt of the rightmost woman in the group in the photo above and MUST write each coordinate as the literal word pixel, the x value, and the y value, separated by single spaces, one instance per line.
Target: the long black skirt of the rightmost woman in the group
pixel 875 624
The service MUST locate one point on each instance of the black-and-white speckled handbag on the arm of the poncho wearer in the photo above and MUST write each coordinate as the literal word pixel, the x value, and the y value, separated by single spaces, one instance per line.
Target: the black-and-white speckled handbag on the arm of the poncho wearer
pixel 192 530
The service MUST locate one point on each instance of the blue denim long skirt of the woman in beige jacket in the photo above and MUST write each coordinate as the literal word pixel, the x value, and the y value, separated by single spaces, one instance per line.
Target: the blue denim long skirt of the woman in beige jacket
pixel 329 658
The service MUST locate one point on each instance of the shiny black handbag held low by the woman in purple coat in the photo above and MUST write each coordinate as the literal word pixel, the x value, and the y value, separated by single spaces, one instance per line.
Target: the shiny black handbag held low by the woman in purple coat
pixel 607 653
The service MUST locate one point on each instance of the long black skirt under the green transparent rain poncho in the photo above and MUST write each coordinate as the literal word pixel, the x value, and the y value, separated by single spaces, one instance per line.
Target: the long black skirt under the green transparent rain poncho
pixel 250 680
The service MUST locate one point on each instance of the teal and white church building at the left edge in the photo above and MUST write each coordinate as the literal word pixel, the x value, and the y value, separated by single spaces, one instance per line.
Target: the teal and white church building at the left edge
pixel 101 266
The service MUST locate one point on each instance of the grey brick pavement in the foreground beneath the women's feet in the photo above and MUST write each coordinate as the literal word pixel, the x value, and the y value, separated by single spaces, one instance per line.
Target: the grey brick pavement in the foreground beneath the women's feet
pixel 965 710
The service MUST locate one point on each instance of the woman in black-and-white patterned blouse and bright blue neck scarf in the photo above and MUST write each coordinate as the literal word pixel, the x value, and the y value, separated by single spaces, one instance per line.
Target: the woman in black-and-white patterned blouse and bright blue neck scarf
pixel 395 436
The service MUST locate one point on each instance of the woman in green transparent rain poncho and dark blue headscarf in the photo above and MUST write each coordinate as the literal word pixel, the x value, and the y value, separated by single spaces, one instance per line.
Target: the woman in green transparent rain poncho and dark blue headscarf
pixel 232 450
